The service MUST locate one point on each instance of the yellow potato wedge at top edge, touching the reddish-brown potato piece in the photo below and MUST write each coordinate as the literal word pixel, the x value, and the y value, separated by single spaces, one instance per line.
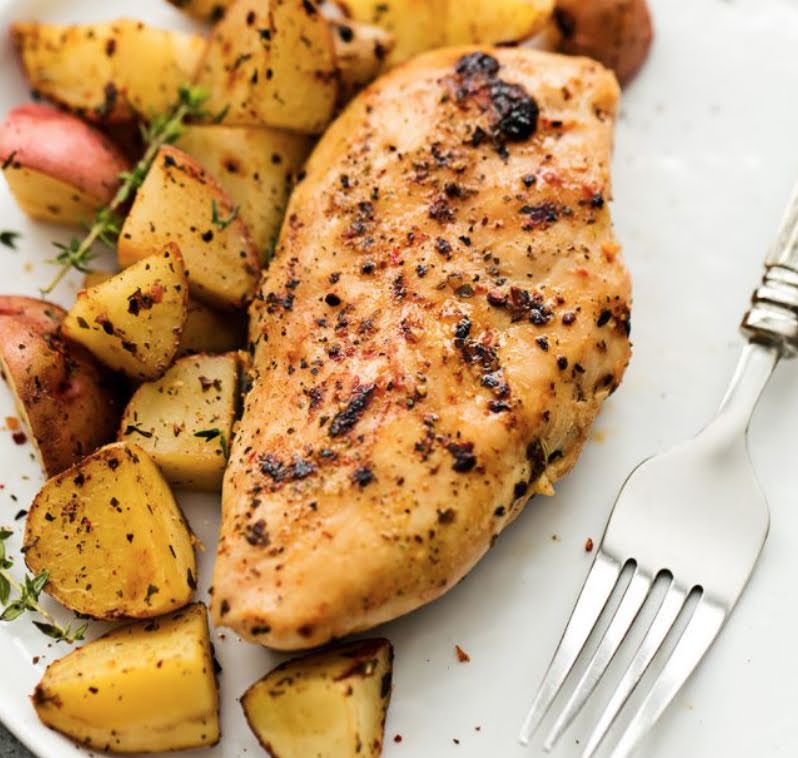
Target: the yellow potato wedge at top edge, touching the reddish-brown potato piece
pixel 494 21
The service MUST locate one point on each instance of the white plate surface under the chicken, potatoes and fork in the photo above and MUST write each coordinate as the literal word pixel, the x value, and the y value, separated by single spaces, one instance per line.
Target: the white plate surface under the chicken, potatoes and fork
pixel 706 153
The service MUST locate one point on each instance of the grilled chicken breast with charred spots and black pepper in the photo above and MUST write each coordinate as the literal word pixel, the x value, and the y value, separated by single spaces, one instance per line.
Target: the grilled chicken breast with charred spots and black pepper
pixel 445 313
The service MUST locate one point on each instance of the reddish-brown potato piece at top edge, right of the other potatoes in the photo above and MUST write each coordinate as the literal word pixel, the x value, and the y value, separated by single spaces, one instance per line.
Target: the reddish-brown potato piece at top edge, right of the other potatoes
pixel 618 33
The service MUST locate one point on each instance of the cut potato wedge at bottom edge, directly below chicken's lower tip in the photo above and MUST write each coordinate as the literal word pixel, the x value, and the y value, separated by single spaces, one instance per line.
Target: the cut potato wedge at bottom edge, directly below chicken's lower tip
pixel 327 705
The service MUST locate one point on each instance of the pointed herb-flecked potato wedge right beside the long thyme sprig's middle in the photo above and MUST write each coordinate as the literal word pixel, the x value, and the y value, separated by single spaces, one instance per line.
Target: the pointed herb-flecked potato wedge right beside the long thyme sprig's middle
pixel 180 203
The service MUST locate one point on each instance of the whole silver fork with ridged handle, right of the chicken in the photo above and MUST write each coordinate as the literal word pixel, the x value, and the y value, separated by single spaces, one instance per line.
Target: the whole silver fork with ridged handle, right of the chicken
pixel 694 516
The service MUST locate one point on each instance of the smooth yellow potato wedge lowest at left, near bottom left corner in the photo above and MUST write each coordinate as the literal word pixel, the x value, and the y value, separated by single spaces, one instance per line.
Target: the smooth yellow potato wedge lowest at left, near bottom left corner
pixel 145 687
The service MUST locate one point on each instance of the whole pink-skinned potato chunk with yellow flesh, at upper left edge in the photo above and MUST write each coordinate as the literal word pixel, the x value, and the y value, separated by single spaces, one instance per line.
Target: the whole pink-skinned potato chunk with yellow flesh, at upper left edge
pixel 57 167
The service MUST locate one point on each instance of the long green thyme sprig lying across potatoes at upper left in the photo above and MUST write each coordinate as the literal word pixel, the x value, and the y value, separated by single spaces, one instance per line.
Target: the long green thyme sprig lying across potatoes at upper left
pixel 162 130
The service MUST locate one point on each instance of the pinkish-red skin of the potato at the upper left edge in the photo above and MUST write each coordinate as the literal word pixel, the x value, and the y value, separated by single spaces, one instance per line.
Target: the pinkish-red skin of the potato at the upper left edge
pixel 63 147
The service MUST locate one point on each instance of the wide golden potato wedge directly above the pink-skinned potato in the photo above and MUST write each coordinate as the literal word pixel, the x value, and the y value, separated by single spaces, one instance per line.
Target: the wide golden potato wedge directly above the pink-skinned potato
pixel 107 72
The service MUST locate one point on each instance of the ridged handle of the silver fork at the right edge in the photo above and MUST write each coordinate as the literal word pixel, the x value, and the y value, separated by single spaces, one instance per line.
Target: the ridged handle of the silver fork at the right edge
pixel 772 318
